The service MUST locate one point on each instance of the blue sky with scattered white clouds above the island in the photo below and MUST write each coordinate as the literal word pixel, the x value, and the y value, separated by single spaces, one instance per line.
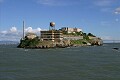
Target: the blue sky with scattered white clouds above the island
pixel 100 17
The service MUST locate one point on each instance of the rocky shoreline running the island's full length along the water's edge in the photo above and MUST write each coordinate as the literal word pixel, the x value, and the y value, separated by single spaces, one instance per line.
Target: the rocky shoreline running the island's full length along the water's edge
pixel 37 44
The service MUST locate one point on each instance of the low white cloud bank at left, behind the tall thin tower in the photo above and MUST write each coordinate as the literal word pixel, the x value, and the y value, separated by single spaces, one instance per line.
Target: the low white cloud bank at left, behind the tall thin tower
pixel 14 35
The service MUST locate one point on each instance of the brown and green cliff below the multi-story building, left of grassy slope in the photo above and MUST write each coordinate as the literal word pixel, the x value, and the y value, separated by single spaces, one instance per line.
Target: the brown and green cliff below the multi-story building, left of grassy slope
pixel 37 43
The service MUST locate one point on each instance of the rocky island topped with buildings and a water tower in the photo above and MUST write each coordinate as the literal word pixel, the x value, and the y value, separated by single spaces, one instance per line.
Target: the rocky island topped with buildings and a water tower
pixel 62 38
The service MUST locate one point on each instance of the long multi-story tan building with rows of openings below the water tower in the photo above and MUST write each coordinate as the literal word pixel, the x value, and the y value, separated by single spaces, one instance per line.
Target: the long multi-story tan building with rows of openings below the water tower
pixel 53 35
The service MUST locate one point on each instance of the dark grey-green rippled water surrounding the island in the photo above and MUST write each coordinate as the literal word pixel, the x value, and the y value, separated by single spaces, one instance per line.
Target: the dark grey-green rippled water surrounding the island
pixel 76 63
